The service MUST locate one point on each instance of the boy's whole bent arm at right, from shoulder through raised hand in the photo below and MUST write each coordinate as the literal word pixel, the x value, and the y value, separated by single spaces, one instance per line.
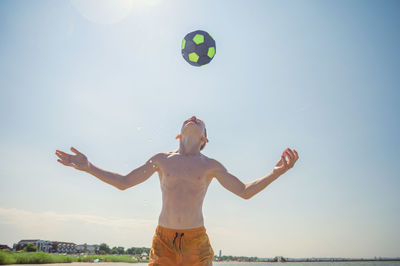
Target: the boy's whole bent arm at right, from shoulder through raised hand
pixel 248 190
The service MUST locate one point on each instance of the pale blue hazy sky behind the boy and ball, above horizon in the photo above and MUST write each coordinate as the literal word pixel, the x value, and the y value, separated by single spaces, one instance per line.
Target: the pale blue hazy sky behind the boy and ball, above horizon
pixel 317 76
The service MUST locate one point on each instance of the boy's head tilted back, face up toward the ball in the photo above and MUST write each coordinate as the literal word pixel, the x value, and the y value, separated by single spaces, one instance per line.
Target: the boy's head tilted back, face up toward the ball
pixel 194 128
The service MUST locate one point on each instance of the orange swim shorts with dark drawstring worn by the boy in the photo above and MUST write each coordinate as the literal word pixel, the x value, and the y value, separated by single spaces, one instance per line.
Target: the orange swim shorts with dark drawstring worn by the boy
pixel 181 247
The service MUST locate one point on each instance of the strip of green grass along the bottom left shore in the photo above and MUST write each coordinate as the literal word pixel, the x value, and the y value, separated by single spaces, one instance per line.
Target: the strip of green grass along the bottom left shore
pixel 13 257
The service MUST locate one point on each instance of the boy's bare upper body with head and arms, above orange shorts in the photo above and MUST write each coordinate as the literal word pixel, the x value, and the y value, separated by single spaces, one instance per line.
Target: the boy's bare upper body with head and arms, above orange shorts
pixel 184 174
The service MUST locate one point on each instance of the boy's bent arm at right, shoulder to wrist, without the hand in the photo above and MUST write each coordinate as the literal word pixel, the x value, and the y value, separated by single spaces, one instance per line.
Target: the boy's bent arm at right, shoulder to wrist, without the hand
pixel 233 184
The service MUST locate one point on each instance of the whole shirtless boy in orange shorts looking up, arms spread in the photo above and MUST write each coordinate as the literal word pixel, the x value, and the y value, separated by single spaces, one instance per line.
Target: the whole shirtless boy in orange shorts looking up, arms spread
pixel 180 237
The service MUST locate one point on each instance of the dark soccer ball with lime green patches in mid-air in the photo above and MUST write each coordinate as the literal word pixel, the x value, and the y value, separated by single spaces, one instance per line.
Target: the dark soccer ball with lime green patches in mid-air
pixel 198 48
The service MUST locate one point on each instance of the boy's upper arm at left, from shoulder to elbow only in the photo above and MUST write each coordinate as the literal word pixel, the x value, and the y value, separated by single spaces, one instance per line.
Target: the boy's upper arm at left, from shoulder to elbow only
pixel 142 173
